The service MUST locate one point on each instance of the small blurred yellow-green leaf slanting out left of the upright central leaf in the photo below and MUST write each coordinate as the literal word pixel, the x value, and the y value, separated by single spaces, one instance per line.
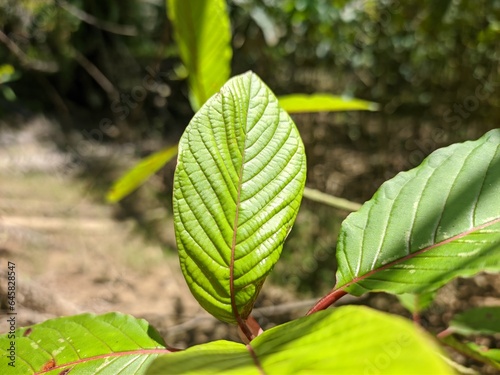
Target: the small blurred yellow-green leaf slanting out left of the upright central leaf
pixel 139 174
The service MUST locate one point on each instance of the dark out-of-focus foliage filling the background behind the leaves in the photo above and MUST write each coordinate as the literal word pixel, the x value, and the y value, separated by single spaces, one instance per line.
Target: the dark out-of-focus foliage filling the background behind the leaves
pixel 111 69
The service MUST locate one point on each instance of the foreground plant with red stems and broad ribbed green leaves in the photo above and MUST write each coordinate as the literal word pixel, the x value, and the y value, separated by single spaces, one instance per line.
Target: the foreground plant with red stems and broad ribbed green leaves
pixel 237 189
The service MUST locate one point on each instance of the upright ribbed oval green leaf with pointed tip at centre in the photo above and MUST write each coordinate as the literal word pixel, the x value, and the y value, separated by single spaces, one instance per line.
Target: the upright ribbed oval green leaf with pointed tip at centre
pixel 237 189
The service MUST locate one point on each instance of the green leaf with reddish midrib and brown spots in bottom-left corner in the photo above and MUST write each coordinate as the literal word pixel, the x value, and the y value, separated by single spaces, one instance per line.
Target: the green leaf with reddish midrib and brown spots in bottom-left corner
pixel 84 344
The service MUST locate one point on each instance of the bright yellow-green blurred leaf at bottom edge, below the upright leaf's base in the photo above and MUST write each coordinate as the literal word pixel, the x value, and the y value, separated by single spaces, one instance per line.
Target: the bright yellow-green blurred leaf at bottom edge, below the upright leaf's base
pixel 347 340
